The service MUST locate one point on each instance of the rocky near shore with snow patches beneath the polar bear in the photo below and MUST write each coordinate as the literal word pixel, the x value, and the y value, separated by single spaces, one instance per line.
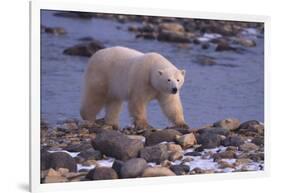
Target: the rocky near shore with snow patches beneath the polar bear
pixel 76 150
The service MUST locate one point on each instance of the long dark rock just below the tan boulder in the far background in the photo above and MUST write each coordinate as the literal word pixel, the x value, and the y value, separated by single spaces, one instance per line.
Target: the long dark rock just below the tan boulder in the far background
pixel 178 37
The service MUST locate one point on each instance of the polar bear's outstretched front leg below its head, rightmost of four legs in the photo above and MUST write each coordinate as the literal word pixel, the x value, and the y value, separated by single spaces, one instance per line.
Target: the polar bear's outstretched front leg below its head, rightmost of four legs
pixel 172 108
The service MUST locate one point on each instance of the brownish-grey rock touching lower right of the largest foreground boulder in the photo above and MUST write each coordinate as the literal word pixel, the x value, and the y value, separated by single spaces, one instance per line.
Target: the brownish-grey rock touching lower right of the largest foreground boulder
pixel 156 153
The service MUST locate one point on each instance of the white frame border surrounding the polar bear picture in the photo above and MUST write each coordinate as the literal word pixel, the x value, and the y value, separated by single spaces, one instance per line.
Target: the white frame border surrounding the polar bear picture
pixel 34 145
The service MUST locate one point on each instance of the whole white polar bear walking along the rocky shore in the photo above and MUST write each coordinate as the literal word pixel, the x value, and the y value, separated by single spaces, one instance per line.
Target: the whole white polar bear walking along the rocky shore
pixel 118 74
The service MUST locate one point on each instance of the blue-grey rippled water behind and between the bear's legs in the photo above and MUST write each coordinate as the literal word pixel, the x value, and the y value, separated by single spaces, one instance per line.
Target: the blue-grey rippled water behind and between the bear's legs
pixel 232 88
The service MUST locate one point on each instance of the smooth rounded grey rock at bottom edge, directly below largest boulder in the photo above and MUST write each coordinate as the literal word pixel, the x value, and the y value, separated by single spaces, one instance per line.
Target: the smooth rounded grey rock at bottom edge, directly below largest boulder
pixel 133 168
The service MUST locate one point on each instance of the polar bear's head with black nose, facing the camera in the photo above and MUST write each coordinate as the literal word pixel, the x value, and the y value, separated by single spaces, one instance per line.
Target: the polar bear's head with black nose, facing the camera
pixel 168 80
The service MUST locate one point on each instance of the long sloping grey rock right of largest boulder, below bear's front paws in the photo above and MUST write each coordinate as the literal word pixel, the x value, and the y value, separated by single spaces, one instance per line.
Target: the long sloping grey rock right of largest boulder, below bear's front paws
pixel 168 135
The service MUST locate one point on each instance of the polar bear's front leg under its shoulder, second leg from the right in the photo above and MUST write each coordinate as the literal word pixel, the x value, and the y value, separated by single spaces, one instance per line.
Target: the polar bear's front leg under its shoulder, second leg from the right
pixel 137 109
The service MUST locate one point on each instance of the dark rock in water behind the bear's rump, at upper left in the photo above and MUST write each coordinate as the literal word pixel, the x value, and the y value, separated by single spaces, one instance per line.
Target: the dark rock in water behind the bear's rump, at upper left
pixel 84 49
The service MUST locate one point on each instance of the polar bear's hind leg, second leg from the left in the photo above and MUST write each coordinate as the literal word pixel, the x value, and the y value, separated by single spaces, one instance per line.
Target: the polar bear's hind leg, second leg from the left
pixel 112 111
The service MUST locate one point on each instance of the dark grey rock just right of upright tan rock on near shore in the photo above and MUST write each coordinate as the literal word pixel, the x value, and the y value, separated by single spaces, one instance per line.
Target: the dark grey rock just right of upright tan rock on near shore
pixel 209 140
